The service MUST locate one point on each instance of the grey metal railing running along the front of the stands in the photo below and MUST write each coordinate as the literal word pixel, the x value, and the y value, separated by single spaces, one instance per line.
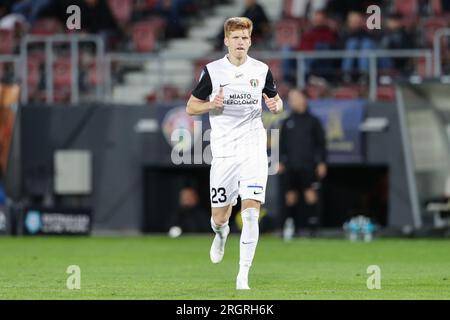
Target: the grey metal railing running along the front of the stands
pixel 106 62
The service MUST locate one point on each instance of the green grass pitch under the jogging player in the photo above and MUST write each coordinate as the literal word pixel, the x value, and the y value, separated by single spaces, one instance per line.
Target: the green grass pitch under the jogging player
pixel 157 267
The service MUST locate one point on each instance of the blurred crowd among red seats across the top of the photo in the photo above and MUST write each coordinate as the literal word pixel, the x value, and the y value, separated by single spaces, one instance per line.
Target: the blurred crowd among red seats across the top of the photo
pixel 301 26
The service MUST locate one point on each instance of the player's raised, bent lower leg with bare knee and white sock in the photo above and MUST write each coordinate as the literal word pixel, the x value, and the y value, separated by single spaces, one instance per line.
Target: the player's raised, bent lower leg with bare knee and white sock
pixel 219 224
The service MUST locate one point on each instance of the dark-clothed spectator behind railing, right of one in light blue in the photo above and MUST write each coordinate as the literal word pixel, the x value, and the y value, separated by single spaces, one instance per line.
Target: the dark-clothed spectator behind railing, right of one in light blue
pixel 395 37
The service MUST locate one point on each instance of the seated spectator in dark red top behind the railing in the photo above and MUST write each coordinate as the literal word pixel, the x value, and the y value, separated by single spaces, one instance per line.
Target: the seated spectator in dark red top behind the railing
pixel 319 37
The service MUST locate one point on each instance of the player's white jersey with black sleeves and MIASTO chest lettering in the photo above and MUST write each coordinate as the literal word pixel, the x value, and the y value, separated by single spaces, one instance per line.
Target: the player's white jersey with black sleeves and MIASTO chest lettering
pixel 242 87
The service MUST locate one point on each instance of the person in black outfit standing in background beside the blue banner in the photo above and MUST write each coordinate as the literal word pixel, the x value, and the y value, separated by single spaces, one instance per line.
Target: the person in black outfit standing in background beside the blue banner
pixel 302 161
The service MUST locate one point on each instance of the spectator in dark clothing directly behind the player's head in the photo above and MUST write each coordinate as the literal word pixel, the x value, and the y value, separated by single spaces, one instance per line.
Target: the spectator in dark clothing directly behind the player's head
pixel 261 25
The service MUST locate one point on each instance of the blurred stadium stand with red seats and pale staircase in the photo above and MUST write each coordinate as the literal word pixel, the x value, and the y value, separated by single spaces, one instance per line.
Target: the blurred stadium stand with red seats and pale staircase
pixel 170 59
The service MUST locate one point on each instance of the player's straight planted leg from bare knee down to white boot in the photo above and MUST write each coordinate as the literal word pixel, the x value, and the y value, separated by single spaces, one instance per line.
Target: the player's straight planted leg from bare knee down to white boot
pixel 248 241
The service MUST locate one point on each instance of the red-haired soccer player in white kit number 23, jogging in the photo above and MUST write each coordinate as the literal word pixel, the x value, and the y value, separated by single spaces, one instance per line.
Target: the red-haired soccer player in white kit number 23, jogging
pixel 230 90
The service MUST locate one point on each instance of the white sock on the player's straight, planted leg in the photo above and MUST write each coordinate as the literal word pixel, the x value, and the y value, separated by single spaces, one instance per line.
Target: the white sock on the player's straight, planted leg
pixel 249 240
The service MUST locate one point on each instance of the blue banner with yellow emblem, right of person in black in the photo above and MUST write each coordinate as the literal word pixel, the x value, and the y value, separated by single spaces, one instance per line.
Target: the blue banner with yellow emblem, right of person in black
pixel 341 120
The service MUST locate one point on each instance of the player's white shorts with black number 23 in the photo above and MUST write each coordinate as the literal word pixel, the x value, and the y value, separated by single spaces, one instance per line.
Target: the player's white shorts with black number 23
pixel 244 174
